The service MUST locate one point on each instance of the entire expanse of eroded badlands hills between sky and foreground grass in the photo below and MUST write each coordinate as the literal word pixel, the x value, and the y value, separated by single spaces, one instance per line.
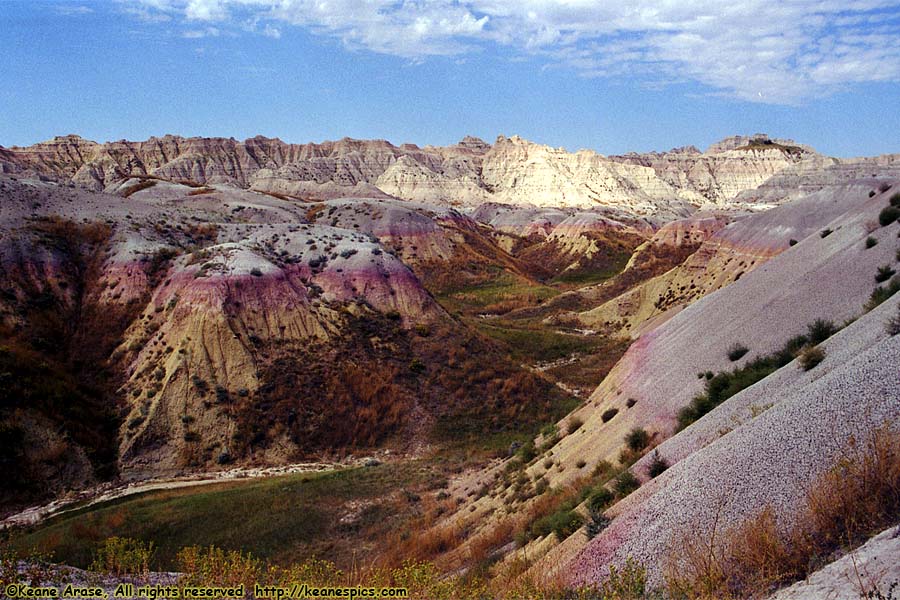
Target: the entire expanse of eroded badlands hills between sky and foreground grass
pixel 187 305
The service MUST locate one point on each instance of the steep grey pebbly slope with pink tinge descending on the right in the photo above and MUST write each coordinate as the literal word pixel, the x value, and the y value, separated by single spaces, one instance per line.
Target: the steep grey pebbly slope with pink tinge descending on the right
pixel 748 452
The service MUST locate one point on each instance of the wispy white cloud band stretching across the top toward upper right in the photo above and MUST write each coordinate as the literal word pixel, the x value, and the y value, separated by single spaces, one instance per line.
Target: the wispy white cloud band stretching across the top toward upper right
pixel 755 50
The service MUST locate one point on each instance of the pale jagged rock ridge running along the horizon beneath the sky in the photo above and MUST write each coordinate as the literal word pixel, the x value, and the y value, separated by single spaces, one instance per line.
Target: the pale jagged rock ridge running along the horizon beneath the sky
pixel 749 170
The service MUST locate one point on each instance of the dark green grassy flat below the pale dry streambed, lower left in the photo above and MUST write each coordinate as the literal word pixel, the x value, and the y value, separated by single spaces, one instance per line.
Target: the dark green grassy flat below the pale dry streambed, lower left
pixel 284 519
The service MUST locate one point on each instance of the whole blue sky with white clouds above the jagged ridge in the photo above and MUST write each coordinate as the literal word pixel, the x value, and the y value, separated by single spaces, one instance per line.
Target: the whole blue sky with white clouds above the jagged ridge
pixel 572 73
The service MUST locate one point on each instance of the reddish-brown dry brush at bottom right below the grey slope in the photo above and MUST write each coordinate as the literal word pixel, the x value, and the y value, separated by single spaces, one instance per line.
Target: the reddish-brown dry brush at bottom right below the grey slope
pixel 856 498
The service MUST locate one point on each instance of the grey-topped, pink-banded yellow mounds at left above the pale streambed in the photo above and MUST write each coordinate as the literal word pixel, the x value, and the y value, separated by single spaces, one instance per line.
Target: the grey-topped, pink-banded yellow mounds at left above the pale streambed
pixel 186 298
